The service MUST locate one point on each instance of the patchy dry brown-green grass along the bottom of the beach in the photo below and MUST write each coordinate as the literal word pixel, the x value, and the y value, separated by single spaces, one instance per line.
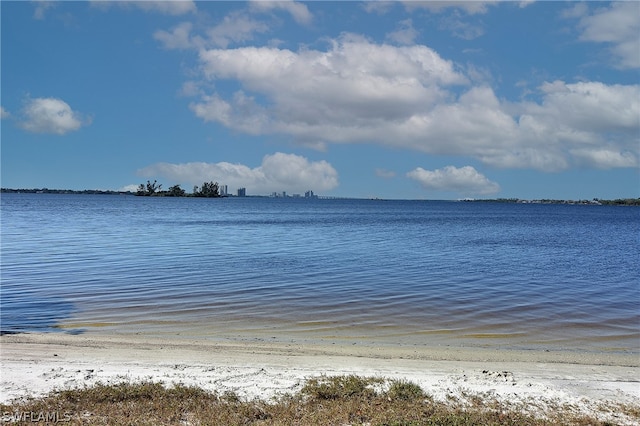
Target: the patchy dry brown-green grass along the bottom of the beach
pixel 340 400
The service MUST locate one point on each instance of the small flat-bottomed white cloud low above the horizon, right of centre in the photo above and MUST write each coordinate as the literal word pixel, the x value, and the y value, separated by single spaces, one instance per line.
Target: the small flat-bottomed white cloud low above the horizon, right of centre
pixel 464 180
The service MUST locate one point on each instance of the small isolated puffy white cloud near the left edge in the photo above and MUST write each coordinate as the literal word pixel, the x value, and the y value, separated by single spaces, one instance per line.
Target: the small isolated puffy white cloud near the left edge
pixel 50 115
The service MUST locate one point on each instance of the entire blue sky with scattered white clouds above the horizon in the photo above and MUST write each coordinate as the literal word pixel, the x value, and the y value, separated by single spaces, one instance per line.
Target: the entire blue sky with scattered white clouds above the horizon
pixel 435 100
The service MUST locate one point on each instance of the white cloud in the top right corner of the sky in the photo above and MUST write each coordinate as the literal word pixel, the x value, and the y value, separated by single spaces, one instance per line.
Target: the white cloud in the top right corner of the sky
pixel 618 25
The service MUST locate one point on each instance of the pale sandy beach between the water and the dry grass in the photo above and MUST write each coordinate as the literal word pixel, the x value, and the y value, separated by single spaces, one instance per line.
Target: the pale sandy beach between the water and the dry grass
pixel 34 364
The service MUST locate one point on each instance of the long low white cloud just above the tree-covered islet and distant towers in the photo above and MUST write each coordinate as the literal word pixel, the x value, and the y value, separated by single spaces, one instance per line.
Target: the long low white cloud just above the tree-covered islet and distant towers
pixel 278 172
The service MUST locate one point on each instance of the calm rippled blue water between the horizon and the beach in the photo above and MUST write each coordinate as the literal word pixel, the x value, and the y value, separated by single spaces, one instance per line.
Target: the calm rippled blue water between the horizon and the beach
pixel 390 272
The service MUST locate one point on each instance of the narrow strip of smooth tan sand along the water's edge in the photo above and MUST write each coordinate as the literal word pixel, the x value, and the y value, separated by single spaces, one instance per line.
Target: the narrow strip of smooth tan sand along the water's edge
pixel 313 347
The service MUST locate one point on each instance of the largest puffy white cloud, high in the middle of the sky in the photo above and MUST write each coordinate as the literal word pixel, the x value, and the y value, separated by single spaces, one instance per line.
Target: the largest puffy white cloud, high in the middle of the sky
pixel 342 93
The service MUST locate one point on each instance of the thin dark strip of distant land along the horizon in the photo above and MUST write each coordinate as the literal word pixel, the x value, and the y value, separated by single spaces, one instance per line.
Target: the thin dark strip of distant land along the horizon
pixel 594 201
